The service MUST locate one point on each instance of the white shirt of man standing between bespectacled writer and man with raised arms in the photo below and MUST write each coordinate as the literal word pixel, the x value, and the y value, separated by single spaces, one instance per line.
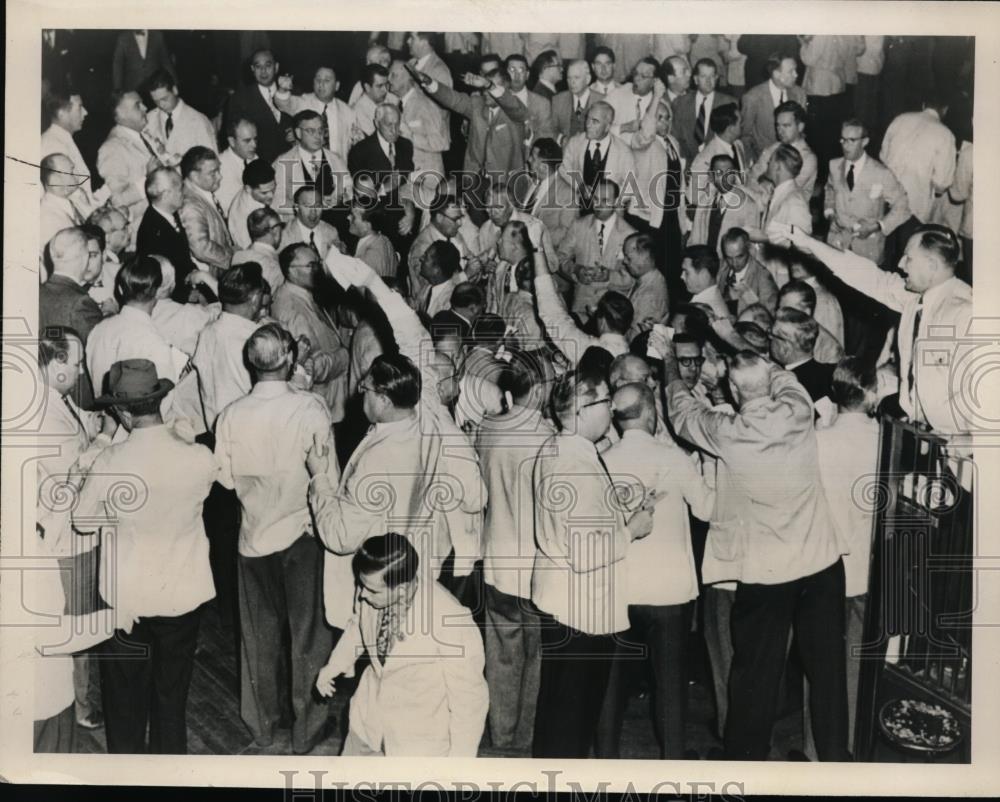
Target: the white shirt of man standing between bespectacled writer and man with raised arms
pixel 660 567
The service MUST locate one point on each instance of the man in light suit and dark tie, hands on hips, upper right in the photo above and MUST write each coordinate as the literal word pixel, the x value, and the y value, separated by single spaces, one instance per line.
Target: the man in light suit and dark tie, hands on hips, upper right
pixel 865 202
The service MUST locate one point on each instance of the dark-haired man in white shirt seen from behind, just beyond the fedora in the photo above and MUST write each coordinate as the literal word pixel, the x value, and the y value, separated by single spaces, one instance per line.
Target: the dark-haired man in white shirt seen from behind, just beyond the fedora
pixel 131 333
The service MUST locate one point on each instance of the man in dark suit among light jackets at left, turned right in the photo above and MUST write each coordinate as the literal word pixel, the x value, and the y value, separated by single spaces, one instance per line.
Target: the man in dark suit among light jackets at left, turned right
pixel 161 232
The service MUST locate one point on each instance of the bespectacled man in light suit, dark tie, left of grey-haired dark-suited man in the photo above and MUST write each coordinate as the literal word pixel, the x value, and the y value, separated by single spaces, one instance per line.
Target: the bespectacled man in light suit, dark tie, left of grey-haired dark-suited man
pixel 310 164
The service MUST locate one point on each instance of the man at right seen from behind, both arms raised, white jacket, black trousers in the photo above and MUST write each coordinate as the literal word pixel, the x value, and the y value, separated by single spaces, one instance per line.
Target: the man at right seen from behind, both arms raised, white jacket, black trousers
pixel 784 554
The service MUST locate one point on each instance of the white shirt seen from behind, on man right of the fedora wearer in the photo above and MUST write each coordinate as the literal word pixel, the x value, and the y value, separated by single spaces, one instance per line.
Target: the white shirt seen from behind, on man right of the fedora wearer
pixel 261 442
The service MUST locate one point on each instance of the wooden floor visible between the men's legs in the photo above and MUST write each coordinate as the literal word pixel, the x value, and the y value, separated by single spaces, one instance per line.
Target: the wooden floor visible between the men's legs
pixel 215 727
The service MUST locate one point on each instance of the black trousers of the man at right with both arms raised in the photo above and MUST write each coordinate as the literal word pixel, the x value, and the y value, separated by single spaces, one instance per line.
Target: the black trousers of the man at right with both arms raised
pixel 761 617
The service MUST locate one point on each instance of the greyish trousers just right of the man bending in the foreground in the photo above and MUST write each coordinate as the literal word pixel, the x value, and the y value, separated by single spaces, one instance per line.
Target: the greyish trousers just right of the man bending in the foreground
pixel 513 649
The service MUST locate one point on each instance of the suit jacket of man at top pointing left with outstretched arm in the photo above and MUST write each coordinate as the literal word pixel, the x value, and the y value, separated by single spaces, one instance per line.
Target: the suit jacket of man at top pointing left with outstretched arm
pixel 496 146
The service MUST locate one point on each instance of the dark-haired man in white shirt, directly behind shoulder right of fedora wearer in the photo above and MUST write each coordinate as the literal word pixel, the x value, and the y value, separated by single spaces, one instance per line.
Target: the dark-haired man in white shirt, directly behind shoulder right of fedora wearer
pixel 218 356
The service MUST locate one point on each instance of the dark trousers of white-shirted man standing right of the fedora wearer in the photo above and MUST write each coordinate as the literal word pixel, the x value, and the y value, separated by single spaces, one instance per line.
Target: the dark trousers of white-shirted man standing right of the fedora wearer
pixel 281 596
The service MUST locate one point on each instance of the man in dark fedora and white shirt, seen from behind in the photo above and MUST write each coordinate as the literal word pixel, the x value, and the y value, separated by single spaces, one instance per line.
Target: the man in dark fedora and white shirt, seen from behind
pixel 154 569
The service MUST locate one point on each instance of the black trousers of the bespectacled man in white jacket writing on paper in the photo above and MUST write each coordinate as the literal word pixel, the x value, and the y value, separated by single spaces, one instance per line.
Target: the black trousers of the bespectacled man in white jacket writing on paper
pixel 574 679
